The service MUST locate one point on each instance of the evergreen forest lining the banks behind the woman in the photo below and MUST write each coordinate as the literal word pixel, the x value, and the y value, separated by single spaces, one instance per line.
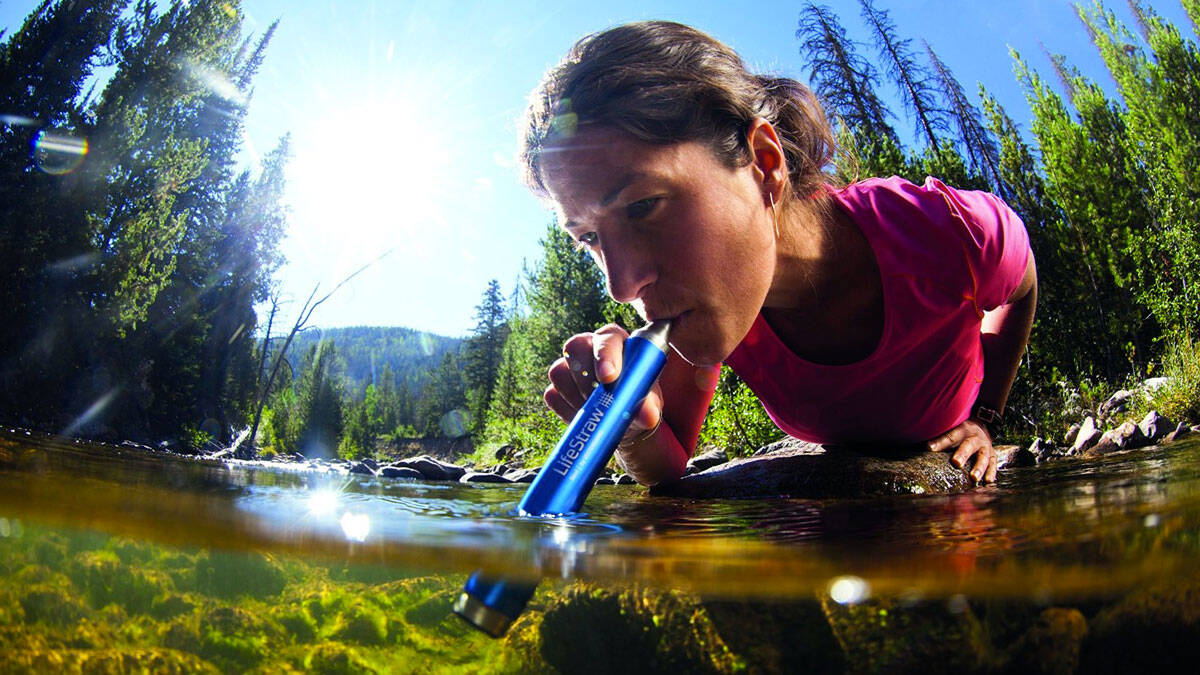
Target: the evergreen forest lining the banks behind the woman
pixel 139 256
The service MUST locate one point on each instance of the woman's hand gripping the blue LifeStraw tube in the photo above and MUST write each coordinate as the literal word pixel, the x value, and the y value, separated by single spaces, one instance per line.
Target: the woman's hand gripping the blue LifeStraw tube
pixel 589 360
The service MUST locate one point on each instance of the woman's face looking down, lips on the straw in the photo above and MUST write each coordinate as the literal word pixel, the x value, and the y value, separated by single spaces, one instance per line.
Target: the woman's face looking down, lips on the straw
pixel 677 234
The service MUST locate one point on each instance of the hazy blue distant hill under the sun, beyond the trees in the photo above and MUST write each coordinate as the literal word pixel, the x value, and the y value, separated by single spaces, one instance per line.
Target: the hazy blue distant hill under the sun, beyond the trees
pixel 365 350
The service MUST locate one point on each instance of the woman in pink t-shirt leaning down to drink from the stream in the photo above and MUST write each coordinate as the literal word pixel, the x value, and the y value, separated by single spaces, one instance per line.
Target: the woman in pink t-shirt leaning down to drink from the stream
pixel 881 313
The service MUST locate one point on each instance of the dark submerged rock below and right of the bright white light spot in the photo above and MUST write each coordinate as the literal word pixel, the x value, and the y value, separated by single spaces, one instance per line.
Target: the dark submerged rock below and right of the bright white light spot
pixel 884 636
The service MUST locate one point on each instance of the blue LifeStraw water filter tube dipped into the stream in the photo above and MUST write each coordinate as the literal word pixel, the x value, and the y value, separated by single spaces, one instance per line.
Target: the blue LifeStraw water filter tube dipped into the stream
pixel 493 605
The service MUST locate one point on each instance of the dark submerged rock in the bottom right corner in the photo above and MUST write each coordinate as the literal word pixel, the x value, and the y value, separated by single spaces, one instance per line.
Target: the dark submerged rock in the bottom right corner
pixel 1150 631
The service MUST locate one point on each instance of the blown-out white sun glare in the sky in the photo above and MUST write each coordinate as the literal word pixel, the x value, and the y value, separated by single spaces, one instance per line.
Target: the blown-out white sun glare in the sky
pixel 365 180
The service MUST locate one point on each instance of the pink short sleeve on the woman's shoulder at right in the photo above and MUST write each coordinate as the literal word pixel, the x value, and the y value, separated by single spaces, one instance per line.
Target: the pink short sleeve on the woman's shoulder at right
pixel 995 243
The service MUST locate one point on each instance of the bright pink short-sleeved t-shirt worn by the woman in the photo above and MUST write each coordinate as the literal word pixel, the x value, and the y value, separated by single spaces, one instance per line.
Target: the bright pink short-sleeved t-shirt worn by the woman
pixel 945 258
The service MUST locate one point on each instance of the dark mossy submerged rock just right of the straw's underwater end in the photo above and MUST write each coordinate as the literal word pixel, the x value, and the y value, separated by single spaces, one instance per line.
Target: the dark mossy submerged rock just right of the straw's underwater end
pixel 635 630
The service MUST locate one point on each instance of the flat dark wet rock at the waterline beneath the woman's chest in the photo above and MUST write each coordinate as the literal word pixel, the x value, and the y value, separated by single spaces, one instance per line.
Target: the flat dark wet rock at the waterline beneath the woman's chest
pixel 799 469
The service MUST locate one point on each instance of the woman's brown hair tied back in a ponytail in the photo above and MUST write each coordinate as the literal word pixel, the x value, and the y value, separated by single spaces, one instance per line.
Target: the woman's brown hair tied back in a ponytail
pixel 667 83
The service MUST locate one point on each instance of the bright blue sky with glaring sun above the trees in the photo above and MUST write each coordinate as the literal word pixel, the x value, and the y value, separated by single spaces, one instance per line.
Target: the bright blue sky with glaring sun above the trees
pixel 404 121
